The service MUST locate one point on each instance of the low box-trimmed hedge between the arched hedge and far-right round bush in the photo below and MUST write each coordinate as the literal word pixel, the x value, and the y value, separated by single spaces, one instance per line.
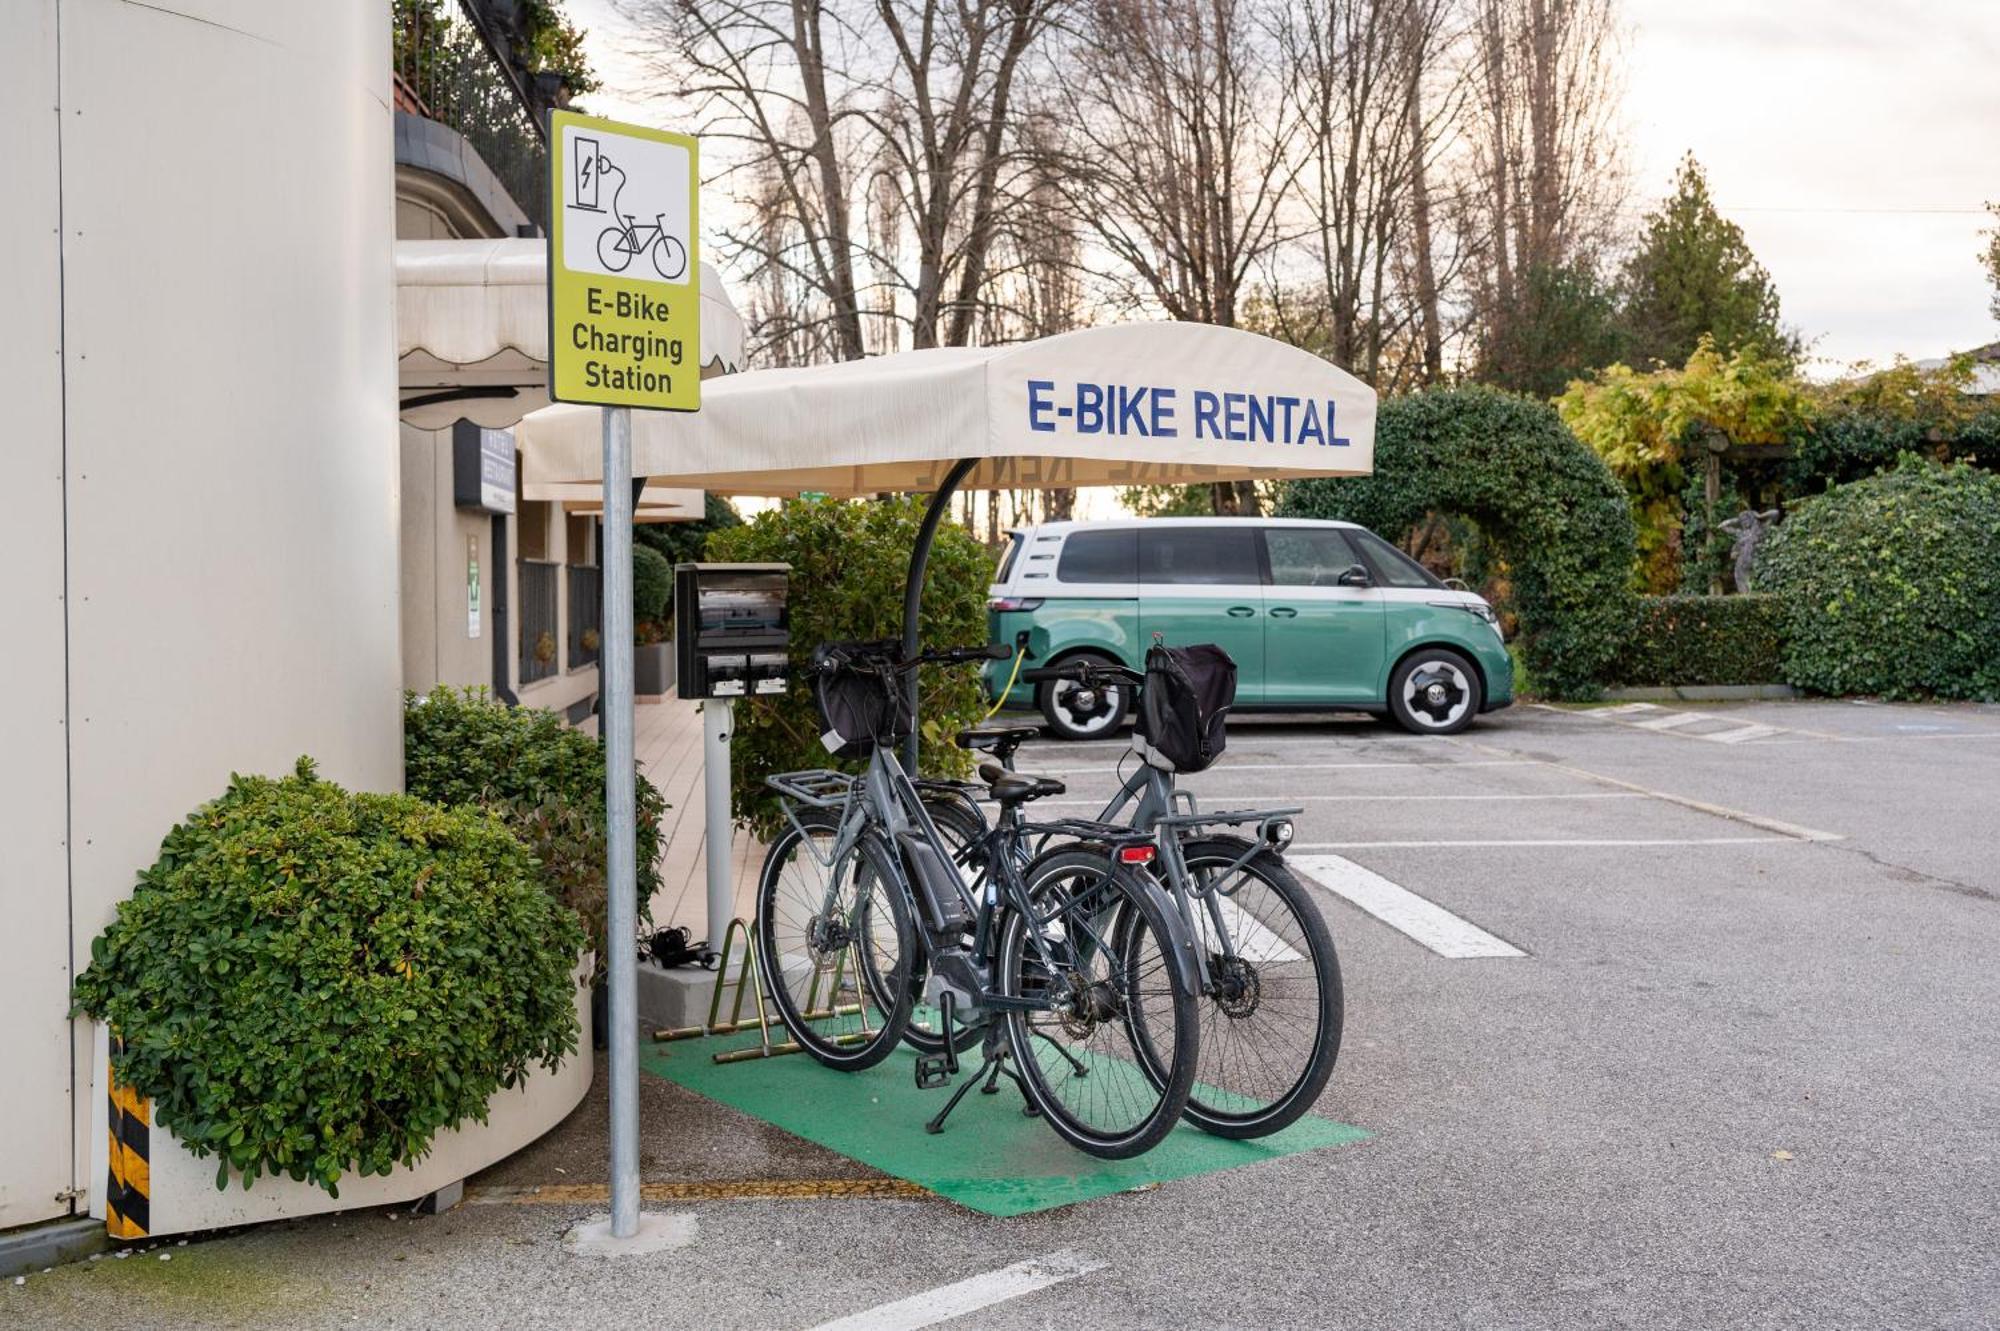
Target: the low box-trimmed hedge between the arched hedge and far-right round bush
pixel 1703 641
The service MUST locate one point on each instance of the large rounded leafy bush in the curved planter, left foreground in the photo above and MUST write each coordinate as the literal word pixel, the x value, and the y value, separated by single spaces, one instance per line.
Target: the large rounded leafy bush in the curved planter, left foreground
pixel 311 982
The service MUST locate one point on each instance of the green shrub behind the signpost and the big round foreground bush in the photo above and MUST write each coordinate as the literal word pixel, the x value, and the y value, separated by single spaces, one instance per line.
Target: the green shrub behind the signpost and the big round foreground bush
pixel 545 778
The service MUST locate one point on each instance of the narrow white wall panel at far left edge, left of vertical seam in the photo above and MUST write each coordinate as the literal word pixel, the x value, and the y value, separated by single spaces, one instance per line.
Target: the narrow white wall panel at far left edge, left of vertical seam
pixel 35 878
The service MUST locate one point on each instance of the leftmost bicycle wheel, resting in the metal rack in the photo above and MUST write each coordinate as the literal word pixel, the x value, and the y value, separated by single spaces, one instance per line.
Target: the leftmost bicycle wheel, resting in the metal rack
pixel 835 944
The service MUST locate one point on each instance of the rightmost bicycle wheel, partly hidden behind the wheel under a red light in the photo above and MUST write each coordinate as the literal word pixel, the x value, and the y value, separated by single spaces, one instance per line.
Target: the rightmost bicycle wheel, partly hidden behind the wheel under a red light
pixel 1273 1010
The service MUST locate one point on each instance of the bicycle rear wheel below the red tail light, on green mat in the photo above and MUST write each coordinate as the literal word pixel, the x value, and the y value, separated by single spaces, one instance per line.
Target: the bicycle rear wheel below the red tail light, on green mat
pixel 1095 984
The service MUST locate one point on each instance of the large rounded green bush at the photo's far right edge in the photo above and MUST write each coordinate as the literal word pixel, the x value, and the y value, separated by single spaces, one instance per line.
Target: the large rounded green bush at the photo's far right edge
pixel 1893 585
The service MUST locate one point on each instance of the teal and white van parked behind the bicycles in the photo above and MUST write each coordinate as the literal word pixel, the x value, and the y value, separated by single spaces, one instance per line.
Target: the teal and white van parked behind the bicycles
pixel 1321 617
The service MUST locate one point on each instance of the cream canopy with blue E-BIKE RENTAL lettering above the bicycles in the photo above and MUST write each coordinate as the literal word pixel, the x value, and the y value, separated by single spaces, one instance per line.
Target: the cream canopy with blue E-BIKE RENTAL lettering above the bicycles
pixel 1133 405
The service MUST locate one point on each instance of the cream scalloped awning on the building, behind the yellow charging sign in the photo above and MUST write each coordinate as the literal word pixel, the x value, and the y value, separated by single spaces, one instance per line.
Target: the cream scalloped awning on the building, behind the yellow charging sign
pixel 473 331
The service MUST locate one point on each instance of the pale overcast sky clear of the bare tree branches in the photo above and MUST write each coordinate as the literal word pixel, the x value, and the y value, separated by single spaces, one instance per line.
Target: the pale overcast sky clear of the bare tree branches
pixel 1855 143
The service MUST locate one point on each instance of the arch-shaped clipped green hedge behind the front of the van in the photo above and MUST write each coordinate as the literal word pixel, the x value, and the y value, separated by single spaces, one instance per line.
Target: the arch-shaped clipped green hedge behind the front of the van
pixel 1551 511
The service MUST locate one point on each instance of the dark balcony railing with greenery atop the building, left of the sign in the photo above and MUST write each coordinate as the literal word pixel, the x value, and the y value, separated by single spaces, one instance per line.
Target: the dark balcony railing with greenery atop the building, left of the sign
pixel 449 73
